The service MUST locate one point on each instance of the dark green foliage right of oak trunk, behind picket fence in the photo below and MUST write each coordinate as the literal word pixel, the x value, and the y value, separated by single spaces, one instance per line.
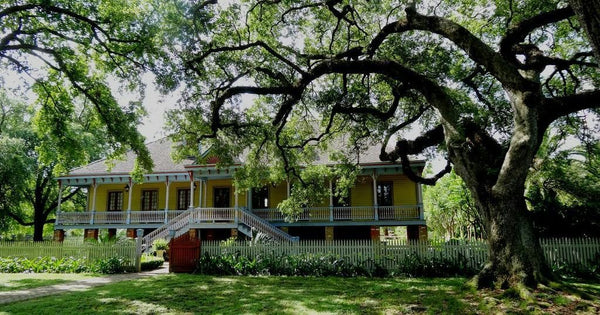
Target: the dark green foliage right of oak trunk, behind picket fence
pixel 563 191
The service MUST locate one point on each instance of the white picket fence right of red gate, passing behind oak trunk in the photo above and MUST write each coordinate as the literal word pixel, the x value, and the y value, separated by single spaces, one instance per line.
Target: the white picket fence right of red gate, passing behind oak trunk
pixel 575 252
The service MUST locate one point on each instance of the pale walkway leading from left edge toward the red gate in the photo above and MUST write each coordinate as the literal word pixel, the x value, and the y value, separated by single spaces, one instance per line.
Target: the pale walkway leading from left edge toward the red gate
pixel 80 285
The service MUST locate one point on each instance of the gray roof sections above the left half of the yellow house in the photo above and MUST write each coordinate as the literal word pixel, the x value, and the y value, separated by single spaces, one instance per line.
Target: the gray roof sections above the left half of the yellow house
pixel 160 151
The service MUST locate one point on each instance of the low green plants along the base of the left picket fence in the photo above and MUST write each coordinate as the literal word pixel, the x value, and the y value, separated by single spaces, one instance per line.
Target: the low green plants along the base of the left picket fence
pixel 44 264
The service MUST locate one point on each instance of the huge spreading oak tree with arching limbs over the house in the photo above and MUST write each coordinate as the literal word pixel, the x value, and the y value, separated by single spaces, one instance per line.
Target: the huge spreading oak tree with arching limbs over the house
pixel 483 80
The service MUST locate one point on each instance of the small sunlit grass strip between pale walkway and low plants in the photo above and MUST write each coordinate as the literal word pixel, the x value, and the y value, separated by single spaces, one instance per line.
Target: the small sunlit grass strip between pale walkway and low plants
pixel 22 281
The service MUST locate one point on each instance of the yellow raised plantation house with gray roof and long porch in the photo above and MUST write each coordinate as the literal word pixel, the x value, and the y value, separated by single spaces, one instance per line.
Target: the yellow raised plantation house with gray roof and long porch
pixel 201 200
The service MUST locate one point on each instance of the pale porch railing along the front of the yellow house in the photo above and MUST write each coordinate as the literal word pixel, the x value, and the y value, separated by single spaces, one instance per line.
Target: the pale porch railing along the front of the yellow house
pixel 315 214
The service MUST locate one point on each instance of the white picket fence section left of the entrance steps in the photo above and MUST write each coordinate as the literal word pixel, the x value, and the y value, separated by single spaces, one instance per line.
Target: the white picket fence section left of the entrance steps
pixel 91 252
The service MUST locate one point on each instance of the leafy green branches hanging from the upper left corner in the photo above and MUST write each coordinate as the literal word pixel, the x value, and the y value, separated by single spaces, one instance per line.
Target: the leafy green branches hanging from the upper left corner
pixel 72 55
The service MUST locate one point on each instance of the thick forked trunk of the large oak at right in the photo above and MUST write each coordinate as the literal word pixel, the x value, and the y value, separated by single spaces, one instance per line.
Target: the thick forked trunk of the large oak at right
pixel 496 178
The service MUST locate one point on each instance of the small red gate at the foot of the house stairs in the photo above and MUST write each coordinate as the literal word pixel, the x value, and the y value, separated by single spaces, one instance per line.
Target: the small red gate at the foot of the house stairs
pixel 184 252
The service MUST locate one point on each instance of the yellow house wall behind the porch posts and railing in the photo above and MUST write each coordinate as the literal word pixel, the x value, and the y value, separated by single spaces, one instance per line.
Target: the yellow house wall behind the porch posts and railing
pixel 361 193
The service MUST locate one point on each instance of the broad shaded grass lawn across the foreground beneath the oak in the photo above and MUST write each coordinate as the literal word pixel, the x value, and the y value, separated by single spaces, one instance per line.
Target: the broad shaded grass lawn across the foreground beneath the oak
pixel 184 293
